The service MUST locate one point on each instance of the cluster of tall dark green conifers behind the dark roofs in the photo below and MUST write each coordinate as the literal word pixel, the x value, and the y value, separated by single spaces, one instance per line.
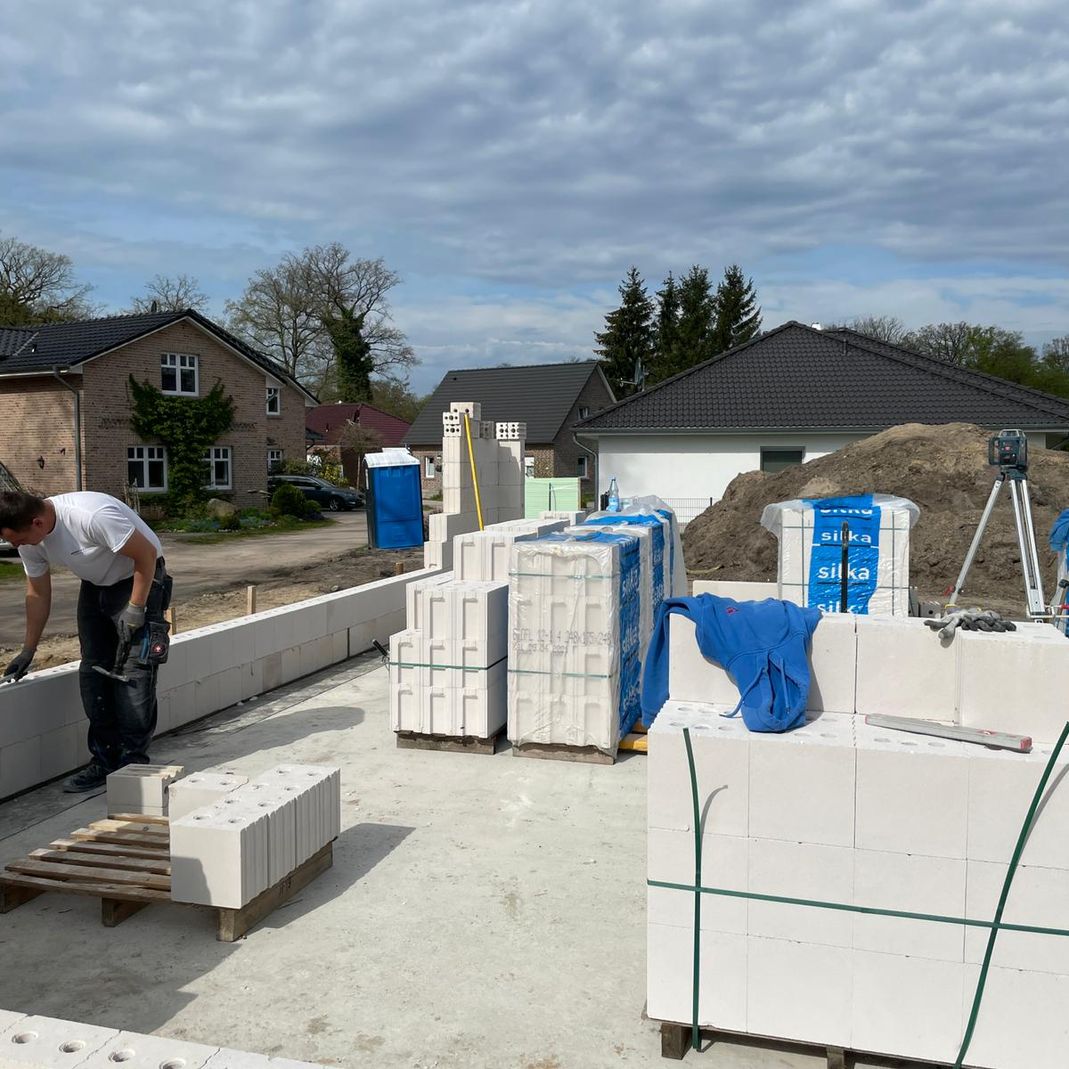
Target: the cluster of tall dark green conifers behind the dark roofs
pixel 688 322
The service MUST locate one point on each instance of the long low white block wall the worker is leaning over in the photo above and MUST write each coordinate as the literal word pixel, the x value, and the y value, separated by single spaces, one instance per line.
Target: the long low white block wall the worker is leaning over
pixel 43 726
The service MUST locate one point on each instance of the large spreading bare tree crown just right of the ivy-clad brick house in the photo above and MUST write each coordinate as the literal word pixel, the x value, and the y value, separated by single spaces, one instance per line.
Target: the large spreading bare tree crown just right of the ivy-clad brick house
pixel 286 311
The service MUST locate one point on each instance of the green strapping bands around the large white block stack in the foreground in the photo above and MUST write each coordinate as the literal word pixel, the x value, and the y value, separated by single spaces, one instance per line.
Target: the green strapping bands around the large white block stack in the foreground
pixel 995 926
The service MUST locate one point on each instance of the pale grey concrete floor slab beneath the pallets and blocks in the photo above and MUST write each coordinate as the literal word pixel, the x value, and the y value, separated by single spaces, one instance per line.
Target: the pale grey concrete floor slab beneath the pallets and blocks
pixel 483 912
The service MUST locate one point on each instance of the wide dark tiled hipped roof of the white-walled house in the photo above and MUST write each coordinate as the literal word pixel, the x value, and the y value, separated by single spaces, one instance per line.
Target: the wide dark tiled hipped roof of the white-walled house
pixel 800 379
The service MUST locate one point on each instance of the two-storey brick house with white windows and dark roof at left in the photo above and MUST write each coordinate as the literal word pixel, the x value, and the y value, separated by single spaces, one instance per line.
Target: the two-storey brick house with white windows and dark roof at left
pixel 65 398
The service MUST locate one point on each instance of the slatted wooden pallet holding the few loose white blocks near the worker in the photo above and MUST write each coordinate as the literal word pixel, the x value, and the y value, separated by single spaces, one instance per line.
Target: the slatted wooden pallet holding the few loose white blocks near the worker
pixel 126 862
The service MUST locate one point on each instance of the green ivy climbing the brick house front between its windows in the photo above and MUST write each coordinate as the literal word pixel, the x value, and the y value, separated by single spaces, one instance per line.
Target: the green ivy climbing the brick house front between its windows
pixel 187 427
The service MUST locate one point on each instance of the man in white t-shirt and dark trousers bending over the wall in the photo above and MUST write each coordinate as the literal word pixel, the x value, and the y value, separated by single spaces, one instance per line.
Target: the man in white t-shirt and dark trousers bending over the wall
pixel 125 585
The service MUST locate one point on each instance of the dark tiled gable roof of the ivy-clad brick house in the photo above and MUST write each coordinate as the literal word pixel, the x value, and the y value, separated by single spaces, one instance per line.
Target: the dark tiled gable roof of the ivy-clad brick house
pixel 28 351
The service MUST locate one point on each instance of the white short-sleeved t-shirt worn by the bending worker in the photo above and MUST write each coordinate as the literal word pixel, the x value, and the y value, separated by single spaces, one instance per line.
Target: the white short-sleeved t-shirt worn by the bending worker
pixel 89 533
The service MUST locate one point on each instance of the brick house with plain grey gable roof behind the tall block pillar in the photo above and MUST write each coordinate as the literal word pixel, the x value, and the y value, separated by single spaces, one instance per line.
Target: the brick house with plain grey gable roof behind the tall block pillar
pixel 549 398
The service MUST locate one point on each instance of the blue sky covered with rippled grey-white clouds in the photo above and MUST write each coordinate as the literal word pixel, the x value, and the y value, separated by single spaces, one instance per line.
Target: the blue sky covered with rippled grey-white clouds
pixel 510 161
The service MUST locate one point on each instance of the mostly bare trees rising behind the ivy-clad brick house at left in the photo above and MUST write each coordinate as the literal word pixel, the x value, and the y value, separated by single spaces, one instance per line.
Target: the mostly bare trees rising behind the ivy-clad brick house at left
pixel 323 315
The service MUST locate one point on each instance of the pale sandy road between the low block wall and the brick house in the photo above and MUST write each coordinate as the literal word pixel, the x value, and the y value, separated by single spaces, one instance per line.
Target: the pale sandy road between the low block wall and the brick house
pixel 198 569
